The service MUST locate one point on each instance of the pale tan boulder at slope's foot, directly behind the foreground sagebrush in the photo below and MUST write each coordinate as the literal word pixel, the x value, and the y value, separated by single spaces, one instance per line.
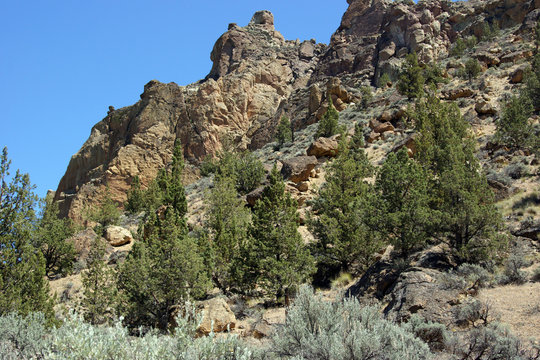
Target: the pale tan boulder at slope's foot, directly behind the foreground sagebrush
pixel 217 316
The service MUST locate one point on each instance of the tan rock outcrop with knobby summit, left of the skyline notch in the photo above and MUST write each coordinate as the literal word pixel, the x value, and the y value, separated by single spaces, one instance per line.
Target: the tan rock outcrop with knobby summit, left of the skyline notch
pixel 254 72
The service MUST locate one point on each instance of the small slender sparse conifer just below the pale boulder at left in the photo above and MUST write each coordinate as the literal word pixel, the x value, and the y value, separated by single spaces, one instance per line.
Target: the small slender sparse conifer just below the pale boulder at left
pixel 99 287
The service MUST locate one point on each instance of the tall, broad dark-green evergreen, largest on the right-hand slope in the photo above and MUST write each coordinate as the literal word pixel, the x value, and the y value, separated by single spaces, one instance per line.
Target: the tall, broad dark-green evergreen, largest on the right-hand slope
pixel 461 197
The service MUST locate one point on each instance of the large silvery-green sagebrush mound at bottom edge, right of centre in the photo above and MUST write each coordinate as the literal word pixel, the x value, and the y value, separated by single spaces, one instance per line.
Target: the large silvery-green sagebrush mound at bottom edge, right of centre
pixel 318 329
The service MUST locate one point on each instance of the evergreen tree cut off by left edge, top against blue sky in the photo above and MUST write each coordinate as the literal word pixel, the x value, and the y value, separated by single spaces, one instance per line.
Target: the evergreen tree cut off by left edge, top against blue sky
pixel 23 287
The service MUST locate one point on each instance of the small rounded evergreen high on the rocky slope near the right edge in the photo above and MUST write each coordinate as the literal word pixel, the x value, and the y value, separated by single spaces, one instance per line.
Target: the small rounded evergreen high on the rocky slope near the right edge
pixel 514 128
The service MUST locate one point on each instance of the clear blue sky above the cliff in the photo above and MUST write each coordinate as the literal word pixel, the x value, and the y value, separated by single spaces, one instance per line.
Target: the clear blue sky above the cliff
pixel 63 63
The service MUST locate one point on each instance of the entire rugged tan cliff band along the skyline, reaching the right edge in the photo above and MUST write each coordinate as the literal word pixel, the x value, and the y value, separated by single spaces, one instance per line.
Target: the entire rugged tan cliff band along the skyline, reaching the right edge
pixel 257 76
